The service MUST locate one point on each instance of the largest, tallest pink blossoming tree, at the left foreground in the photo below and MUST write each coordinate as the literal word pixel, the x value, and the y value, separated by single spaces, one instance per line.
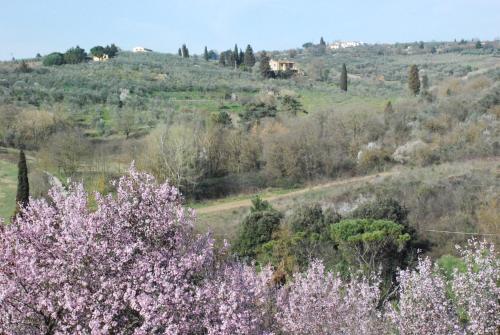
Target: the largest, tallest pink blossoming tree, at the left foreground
pixel 132 266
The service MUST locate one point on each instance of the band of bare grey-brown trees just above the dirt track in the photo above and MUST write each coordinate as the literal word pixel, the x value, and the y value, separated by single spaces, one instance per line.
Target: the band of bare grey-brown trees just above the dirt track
pixel 282 149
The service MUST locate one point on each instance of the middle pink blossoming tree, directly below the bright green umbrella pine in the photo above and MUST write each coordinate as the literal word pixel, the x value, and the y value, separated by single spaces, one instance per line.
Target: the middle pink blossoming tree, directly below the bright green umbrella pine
pixel 318 302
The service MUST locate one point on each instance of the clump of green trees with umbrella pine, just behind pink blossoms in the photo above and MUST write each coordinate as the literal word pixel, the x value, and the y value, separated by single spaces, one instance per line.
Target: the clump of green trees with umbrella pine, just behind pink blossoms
pixel 374 238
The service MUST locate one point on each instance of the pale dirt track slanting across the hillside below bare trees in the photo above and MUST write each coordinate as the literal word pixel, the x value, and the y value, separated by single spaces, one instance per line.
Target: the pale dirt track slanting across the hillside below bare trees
pixel 248 202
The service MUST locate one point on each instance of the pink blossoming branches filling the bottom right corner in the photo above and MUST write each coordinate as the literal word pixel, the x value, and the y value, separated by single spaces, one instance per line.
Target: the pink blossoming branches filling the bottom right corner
pixel 468 304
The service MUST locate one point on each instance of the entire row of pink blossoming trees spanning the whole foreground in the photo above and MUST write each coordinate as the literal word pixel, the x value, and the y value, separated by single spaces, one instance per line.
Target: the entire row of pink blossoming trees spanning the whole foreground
pixel 133 264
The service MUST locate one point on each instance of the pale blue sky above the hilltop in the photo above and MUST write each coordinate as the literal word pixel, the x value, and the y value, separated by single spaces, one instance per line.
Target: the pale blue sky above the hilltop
pixel 31 26
